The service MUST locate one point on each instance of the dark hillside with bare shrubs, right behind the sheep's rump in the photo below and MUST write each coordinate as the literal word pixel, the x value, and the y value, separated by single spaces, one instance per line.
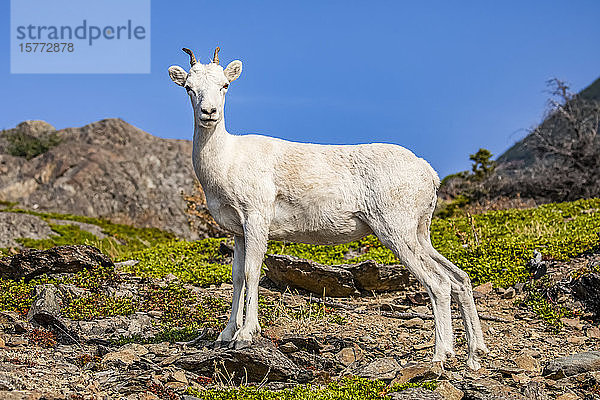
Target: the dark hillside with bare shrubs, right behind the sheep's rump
pixel 559 160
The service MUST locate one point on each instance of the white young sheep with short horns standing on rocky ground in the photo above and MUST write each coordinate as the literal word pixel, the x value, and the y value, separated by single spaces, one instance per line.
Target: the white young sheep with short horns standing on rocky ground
pixel 262 188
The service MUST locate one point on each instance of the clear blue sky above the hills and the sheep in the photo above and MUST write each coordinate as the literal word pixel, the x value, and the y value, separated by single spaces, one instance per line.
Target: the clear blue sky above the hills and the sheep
pixel 440 78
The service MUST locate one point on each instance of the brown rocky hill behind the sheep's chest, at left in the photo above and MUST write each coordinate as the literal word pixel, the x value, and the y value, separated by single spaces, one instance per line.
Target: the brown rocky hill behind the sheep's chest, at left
pixel 107 169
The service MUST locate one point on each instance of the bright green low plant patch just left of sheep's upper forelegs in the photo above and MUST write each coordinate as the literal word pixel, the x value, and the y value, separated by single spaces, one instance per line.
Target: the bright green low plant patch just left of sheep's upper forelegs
pixel 199 263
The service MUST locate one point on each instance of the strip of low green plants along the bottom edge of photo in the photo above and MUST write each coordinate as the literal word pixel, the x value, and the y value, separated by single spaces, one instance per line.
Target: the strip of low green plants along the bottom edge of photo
pixel 350 388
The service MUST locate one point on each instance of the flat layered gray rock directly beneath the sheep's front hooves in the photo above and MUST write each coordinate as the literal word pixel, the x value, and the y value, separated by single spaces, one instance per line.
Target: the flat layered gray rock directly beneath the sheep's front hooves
pixel 260 361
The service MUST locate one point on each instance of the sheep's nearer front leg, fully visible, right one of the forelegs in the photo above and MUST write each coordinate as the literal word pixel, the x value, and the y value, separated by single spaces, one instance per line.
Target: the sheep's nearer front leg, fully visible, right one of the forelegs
pixel 256 232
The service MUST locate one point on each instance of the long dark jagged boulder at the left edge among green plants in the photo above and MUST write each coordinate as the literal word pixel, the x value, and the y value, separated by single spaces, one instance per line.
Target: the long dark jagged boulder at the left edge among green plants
pixel 60 259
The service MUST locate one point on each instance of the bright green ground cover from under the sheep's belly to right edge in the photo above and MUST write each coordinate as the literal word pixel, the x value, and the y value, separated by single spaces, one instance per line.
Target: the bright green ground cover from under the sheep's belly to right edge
pixel 494 246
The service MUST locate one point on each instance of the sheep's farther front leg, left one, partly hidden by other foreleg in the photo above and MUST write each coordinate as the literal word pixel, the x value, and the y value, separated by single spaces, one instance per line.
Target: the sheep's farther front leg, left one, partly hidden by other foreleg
pixel 237 304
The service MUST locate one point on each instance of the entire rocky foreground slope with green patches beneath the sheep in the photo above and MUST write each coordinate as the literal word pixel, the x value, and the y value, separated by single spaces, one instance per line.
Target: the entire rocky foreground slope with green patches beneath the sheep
pixel 140 324
